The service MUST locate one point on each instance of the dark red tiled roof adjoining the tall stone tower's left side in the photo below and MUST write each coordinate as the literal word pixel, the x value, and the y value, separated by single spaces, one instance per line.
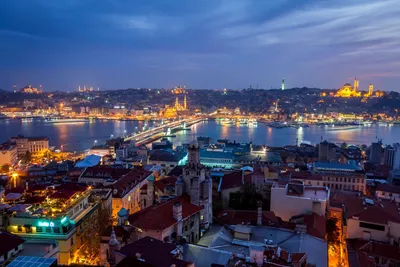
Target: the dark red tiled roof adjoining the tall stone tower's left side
pixel 160 217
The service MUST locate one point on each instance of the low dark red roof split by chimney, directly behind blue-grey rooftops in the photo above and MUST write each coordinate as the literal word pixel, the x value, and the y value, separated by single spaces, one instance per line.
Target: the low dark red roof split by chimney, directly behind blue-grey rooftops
pixel 234 217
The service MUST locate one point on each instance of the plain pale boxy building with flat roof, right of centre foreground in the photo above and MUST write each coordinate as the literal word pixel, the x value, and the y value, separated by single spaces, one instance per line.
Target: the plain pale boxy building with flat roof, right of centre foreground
pixel 294 198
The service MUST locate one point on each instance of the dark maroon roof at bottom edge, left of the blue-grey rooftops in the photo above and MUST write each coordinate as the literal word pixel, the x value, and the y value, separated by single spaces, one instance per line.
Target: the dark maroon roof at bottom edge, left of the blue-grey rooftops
pixel 147 246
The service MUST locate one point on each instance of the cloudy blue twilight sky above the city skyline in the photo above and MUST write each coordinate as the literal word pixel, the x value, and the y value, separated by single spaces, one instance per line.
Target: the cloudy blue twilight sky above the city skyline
pixel 203 43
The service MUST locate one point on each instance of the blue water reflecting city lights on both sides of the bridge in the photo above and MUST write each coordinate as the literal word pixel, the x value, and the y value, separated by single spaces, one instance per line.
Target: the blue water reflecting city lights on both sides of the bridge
pixel 81 136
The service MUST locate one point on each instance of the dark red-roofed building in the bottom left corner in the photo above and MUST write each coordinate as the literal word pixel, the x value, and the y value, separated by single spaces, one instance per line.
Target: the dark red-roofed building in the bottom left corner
pixel 10 246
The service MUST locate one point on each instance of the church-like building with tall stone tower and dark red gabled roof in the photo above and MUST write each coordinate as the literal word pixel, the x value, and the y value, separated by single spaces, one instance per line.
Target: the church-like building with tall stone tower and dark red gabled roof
pixel 191 209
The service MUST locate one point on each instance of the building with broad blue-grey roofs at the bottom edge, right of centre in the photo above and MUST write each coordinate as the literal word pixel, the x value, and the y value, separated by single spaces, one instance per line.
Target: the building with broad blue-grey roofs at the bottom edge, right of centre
pixel 245 245
